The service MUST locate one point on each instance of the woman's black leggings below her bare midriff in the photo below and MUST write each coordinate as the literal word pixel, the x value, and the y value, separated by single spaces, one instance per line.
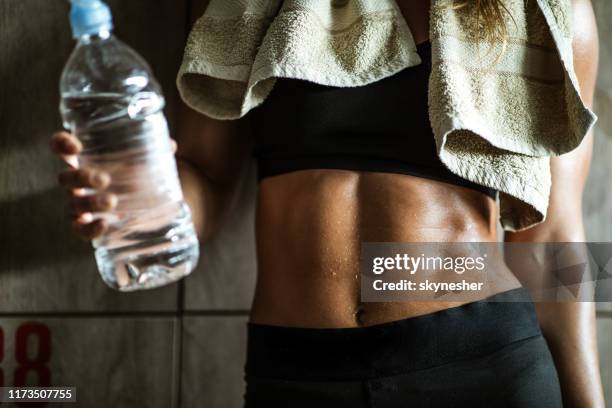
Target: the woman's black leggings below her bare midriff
pixel 489 353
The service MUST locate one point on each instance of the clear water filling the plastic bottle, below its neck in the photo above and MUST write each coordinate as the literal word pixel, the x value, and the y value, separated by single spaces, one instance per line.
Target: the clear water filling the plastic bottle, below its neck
pixel 151 240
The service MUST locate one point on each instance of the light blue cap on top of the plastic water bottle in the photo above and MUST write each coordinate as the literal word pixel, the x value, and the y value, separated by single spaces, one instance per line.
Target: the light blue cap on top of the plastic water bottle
pixel 89 17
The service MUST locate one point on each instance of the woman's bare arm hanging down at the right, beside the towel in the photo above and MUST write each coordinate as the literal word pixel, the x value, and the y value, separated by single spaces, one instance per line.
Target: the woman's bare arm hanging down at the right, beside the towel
pixel 570 328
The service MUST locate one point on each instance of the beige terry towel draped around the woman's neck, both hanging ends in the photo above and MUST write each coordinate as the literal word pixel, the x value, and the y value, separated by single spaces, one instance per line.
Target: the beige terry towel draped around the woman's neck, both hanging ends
pixel 497 116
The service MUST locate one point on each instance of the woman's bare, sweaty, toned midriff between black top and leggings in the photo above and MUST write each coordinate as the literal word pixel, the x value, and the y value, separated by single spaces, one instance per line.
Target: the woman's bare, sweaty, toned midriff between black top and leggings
pixel 310 226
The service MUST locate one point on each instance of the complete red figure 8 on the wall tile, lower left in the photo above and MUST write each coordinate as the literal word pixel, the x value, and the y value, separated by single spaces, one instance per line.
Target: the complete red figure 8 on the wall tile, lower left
pixel 36 363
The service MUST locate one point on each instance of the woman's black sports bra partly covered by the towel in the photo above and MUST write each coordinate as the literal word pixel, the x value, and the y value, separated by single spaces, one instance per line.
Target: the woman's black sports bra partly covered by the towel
pixel 380 127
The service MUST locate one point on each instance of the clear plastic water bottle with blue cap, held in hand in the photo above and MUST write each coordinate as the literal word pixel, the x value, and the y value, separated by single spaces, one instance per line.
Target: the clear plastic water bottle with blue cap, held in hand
pixel 113 104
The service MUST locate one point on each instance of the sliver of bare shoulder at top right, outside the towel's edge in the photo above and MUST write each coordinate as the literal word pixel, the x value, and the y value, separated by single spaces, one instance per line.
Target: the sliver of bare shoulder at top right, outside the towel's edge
pixel 585 46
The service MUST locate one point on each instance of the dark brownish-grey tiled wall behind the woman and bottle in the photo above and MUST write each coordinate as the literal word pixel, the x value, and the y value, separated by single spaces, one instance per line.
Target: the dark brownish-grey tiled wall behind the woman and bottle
pixel 181 346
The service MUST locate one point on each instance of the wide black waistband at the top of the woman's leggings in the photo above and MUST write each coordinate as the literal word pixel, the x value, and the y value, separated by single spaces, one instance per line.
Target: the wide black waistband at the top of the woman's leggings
pixel 467 331
